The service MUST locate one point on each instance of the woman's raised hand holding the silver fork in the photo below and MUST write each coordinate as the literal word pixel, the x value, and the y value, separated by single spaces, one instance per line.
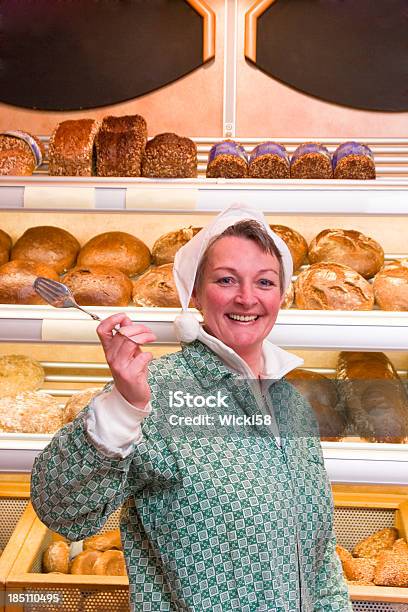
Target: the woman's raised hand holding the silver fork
pixel 127 362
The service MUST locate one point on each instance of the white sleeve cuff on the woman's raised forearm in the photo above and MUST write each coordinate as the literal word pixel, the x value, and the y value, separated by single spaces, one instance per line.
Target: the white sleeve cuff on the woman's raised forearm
pixel 113 425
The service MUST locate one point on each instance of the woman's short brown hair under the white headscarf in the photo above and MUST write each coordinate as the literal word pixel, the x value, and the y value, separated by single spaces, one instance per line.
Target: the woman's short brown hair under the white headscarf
pixel 251 230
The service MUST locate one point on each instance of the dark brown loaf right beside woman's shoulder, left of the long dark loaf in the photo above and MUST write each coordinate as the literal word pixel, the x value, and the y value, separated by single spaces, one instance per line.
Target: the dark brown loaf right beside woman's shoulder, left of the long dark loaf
pixel 321 393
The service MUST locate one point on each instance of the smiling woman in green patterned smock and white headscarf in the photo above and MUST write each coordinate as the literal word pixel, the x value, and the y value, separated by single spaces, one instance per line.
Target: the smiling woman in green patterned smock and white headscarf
pixel 215 516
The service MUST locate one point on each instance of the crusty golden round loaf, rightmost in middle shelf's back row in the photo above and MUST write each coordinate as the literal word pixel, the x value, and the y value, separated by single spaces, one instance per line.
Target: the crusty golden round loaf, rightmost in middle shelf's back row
pixel 347 247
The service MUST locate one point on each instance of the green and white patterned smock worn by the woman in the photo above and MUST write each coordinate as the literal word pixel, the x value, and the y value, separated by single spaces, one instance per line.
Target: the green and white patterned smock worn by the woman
pixel 214 518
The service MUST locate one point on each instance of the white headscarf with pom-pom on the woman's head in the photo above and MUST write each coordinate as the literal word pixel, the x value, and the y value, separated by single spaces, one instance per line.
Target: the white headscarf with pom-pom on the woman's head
pixel 189 256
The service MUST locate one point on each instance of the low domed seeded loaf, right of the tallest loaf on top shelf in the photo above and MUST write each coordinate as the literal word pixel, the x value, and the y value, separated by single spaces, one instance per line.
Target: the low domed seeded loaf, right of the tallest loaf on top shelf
pixel 170 156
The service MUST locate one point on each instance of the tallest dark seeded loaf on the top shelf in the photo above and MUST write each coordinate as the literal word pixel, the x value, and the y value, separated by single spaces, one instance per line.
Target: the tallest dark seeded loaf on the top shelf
pixel 120 144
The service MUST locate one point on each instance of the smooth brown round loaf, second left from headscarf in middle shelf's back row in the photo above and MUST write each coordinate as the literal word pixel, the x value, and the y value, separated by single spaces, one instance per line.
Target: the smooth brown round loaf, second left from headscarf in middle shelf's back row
pixel 117 250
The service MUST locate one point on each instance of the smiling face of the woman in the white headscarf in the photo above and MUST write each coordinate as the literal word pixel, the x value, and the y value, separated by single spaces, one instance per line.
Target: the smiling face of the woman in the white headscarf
pixel 239 295
